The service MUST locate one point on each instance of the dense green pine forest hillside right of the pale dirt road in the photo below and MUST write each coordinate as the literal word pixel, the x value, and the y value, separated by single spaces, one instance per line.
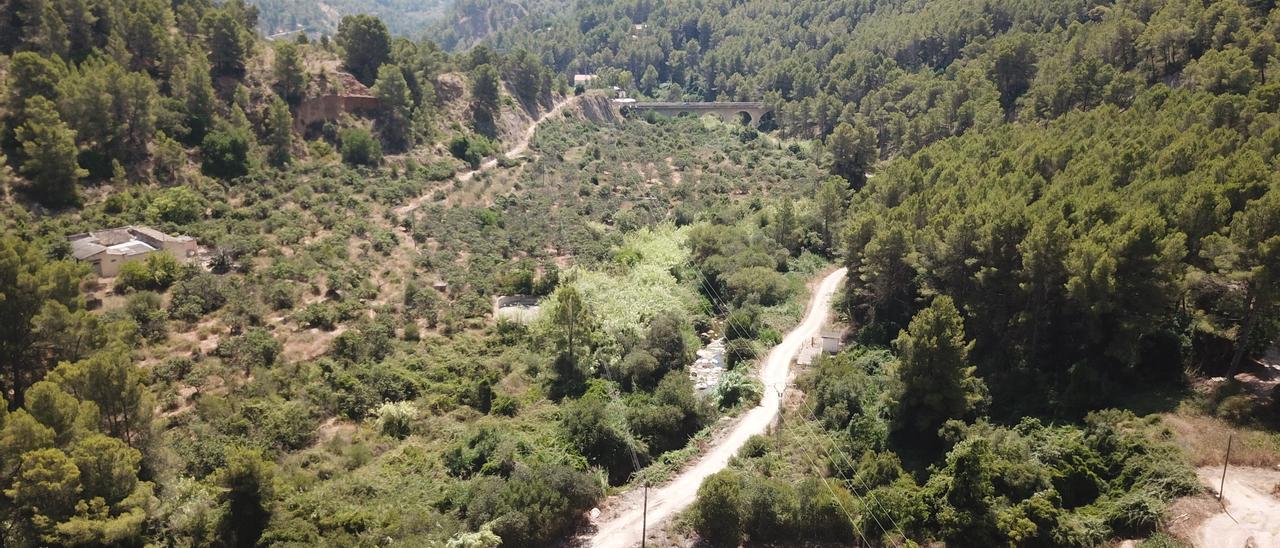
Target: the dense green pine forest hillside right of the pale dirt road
pixel 1073 200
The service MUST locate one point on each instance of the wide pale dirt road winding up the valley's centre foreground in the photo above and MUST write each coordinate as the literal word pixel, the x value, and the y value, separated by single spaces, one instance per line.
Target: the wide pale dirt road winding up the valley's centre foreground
pixel 623 531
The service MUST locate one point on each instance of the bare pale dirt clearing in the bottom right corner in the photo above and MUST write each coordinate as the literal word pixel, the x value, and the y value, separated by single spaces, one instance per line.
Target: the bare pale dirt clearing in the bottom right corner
pixel 1252 517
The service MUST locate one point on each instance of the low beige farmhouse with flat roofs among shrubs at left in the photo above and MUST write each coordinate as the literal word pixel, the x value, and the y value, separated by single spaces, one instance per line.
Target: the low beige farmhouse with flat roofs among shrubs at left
pixel 109 250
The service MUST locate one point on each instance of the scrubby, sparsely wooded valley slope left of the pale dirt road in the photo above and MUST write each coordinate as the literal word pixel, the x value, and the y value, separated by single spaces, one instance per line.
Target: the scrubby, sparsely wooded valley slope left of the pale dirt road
pixel 331 369
